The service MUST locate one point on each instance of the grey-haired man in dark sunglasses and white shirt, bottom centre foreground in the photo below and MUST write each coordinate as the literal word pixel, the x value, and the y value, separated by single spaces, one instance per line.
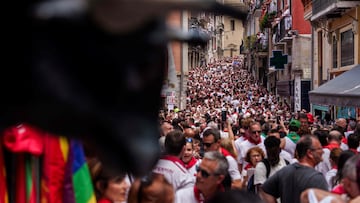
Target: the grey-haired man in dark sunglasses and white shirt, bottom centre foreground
pixel 209 178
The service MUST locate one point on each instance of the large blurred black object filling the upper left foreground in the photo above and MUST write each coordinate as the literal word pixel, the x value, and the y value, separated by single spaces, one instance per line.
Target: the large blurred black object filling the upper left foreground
pixel 92 69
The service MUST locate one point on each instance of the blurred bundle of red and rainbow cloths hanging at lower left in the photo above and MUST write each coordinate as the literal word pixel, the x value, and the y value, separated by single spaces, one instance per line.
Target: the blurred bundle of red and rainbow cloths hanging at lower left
pixel 61 176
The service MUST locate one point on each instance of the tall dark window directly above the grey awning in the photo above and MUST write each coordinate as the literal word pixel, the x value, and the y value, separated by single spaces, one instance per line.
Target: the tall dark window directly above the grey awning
pixel 347 48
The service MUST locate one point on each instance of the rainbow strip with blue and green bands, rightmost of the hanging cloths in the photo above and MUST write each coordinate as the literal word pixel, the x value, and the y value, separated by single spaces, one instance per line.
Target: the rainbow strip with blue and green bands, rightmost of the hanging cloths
pixel 78 183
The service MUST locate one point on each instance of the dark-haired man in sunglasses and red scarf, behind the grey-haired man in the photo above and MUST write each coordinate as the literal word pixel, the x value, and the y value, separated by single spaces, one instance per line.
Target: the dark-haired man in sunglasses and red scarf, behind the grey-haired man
pixel 211 142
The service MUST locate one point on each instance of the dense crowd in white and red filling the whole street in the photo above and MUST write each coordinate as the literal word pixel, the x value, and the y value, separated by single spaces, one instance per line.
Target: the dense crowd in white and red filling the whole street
pixel 236 142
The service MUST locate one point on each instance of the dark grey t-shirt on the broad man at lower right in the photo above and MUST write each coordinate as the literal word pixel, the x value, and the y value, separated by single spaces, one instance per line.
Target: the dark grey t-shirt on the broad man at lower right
pixel 292 180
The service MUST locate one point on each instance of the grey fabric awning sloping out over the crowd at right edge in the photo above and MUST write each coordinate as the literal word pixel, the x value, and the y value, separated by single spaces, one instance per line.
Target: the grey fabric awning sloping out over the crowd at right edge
pixel 344 90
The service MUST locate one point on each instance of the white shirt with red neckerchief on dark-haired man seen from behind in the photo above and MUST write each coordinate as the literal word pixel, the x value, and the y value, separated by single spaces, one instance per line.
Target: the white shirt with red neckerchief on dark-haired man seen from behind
pixel 174 172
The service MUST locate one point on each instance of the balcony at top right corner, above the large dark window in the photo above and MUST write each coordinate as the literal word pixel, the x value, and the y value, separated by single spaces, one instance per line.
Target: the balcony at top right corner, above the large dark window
pixel 331 8
